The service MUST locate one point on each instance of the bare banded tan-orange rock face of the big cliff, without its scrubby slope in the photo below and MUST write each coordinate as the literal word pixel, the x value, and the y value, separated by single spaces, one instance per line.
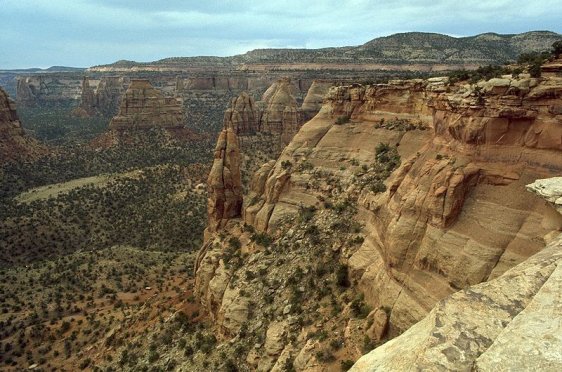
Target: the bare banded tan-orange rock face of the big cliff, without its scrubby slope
pixel 456 212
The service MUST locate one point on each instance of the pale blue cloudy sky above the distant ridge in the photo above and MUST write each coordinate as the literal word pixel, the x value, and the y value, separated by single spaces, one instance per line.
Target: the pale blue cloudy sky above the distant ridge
pixel 83 33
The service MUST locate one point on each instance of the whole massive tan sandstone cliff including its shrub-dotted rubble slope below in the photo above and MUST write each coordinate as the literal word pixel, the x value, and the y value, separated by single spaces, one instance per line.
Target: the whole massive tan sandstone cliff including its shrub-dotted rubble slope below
pixel 453 214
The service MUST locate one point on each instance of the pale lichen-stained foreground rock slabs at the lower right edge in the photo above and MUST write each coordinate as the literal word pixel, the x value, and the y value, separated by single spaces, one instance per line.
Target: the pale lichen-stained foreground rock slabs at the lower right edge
pixel 511 321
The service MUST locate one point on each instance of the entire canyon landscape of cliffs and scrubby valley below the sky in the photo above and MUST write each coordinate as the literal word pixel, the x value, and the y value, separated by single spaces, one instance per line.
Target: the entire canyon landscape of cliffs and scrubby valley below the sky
pixel 364 211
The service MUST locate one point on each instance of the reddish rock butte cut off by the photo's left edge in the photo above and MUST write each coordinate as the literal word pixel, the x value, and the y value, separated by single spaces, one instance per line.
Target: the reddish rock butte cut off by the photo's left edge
pixel 14 144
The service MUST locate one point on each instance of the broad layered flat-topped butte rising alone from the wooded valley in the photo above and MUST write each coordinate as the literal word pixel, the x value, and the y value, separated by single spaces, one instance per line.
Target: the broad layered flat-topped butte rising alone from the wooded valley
pixel 144 106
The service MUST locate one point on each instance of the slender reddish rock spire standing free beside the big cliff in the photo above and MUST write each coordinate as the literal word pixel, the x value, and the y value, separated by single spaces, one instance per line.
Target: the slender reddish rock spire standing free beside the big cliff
pixel 224 185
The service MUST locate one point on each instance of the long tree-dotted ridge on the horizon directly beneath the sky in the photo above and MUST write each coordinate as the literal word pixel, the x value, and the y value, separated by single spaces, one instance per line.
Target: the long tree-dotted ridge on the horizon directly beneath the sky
pixel 402 48
